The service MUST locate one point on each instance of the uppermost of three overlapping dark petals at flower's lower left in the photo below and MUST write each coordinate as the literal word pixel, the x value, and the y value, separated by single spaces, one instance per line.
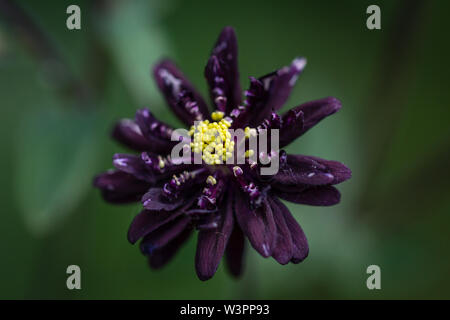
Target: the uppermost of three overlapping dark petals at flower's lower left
pixel 147 221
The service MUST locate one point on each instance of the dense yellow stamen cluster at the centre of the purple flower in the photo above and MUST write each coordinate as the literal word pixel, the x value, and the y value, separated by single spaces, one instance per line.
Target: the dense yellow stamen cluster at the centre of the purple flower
pixel 212 139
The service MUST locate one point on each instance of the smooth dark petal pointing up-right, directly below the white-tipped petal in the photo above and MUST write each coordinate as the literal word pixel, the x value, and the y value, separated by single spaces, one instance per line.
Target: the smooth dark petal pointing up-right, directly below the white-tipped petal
pixel 311 112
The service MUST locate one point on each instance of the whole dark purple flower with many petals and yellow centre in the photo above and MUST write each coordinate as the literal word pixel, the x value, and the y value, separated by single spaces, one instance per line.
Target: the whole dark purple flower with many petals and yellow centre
pixel 224 203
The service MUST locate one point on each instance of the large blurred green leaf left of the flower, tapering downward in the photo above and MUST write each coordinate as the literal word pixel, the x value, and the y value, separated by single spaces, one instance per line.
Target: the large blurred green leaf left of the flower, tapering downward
pixel 56 150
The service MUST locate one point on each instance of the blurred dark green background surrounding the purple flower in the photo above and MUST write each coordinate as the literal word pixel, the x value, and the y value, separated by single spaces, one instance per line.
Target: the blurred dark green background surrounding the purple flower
pixel 62 90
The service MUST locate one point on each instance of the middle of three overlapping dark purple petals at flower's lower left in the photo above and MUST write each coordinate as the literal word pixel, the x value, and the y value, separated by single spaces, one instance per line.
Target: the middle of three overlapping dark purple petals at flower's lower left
pixel 164 234
